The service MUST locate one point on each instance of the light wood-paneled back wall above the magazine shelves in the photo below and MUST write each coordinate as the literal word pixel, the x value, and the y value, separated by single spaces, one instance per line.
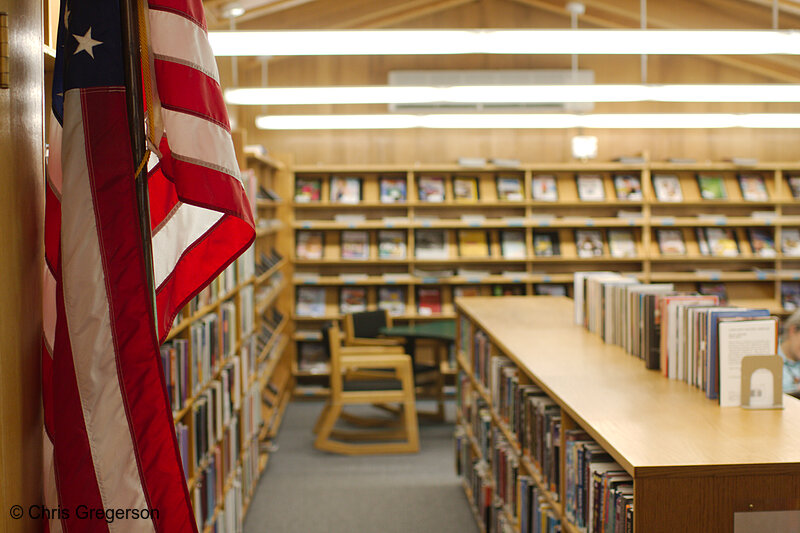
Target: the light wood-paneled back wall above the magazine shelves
pixel 434 146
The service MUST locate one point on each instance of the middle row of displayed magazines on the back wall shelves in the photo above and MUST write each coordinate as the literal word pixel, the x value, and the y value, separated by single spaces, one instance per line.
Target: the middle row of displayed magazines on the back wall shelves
pixel 475 243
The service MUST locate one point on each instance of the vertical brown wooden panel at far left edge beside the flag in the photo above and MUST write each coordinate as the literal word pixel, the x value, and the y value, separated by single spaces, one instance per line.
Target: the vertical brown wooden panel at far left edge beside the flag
pixel 21 218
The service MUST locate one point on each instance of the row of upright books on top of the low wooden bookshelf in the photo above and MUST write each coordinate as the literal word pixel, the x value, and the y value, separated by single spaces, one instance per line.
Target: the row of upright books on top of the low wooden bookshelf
pixel 687 336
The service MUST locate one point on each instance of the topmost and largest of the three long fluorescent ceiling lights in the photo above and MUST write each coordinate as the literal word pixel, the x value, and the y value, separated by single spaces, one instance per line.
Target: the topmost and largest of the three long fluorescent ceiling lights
pixel 427 42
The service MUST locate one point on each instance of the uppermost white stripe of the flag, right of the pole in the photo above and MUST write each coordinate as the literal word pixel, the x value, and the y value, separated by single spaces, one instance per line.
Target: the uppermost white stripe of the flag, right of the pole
pixel 177 37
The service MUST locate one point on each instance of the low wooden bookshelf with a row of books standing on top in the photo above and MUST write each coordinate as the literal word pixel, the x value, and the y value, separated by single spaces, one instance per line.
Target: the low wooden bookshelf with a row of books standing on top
pixel 680 448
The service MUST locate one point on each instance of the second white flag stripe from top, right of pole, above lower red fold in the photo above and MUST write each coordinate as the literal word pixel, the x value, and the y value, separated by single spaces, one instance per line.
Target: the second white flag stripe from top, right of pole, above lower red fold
pixel 197 139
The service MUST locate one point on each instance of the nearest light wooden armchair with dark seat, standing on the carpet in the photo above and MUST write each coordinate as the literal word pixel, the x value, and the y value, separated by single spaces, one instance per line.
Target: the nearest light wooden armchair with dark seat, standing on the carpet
pixel 403 431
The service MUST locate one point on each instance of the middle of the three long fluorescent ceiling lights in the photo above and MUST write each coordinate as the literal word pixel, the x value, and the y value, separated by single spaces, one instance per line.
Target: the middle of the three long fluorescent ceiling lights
pixel 533 94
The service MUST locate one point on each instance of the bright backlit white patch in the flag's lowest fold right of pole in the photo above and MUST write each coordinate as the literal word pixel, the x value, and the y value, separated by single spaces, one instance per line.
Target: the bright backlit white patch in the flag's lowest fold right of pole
pixel 187 224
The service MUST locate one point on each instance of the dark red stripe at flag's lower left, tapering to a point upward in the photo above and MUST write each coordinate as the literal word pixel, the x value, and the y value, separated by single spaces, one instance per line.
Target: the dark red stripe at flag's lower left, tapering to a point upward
pixel 72 456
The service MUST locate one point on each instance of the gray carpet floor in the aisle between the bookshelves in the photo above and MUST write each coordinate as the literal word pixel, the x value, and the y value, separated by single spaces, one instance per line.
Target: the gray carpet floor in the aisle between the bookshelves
pixel 304 490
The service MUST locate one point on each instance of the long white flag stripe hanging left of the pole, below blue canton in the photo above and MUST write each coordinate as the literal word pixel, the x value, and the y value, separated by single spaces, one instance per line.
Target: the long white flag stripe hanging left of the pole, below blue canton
pixel 89 325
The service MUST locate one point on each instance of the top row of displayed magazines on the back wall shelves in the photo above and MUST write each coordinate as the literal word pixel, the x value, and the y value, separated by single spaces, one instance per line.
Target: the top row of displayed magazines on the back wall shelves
pixel 544 188
